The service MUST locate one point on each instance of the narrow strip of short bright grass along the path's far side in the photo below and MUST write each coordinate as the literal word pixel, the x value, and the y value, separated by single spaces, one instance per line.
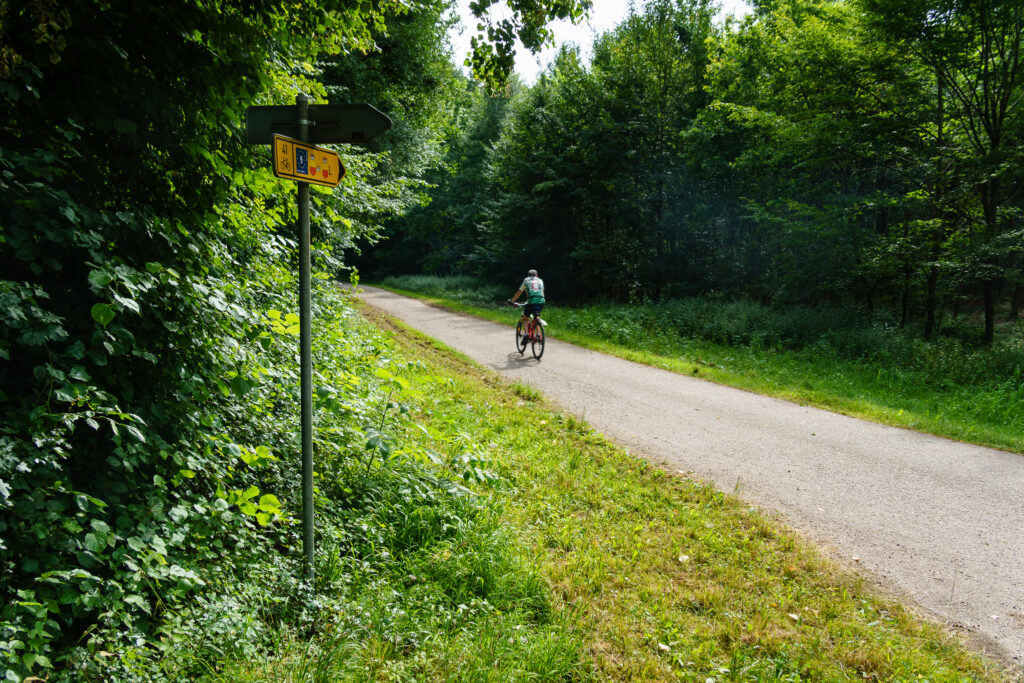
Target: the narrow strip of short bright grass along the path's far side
pixel 886 394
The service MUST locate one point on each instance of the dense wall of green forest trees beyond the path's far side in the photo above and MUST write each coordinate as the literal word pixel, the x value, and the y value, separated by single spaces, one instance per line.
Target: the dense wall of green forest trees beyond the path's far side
pixel 841 152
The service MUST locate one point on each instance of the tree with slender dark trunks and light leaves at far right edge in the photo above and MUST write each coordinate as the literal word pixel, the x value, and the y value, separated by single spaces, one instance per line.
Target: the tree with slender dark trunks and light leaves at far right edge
pixel 974 49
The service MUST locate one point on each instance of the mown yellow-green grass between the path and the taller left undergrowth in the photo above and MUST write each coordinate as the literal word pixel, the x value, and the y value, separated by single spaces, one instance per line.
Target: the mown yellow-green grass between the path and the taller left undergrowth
pixel 647 576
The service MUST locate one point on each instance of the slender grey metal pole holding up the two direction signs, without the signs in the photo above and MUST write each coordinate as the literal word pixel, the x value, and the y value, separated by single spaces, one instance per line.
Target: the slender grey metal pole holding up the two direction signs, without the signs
pixel 306 352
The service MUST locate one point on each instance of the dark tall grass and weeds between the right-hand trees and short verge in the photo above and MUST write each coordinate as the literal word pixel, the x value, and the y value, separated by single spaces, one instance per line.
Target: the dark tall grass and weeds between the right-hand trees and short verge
pixel 898 365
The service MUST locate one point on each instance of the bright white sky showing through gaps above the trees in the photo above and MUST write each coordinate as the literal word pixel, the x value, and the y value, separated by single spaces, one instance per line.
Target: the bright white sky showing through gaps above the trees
pixel 606 16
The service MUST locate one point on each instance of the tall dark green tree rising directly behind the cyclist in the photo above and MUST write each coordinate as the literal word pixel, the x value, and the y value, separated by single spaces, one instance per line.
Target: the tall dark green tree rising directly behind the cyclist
pixel 587 174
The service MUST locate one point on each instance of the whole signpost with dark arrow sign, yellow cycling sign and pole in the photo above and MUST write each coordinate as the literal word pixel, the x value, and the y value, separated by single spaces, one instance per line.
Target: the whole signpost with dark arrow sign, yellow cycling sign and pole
pixel 289 131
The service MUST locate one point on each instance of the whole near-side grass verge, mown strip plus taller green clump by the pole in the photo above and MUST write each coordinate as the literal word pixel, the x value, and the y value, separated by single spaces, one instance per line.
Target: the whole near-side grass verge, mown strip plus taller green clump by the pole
pixel 562 558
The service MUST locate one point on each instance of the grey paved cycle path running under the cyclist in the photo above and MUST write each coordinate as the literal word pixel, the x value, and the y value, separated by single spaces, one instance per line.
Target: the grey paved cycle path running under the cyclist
pixel 940 522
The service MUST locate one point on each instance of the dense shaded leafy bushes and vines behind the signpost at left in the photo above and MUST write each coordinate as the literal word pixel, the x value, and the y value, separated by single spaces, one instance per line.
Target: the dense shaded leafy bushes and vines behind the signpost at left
pixel 148 381
